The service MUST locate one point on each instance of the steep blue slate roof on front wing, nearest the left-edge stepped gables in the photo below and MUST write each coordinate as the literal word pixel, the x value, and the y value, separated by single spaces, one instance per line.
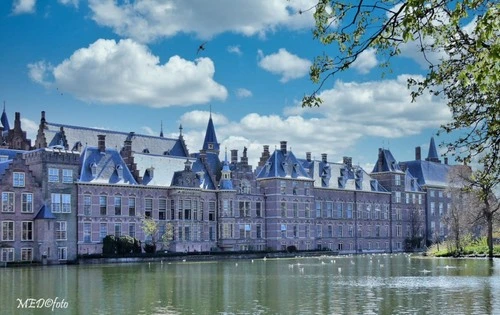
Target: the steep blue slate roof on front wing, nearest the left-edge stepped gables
pixel 104 167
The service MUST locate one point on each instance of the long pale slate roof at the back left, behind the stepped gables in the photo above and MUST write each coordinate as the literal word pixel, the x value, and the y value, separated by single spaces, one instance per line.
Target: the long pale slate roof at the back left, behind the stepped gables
pixel 71 136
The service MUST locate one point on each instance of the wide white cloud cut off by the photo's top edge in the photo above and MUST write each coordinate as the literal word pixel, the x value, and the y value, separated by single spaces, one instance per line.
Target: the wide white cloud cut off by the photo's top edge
pixel 148 20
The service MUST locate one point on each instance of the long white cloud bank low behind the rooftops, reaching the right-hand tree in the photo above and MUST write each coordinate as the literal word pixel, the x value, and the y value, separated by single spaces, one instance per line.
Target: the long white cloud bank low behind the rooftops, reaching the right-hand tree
pixel 350 112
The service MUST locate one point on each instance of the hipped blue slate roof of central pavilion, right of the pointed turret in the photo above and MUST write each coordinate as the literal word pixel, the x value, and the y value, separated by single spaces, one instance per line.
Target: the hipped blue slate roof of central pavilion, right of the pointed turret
pixel 283 165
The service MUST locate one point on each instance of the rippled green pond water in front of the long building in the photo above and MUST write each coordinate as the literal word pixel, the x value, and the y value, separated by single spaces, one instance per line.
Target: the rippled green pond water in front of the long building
pixel 378 284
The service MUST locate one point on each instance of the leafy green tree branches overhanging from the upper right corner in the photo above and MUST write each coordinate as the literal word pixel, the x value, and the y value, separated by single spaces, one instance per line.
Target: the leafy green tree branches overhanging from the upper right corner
pixel 464 33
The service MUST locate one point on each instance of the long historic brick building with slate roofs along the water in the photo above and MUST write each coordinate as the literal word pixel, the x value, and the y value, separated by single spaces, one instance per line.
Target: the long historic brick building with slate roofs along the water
pixel 77 185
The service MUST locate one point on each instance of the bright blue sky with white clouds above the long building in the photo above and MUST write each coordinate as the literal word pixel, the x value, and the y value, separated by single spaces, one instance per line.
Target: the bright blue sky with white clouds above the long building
pixel 132 65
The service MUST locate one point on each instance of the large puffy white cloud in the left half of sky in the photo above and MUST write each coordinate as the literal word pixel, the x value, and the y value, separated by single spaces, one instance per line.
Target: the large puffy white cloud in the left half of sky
pixel 126 72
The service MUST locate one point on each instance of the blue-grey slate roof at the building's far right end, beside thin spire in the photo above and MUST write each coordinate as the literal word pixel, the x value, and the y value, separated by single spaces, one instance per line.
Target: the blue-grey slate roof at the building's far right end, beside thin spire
pixel 429 173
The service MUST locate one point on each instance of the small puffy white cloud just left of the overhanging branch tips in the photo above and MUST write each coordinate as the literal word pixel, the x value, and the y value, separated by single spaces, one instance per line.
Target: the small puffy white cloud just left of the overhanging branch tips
pixel 283 63
